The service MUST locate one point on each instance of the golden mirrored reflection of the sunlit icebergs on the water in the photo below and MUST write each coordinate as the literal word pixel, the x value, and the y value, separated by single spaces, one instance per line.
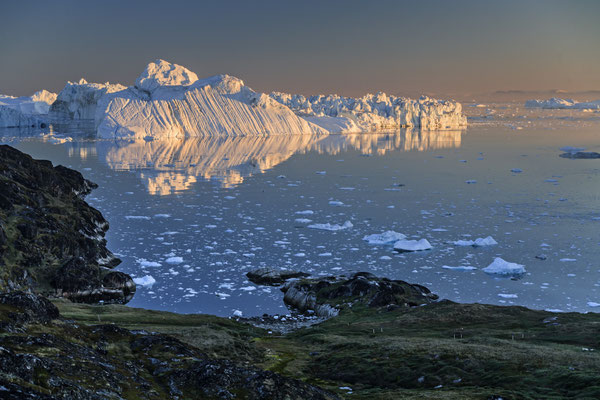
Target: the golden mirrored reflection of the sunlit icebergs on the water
pixel 172 165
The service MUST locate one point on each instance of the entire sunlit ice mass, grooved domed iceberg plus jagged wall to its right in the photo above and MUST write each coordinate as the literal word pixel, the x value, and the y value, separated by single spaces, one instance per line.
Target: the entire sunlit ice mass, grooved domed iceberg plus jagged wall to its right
pixel 168 100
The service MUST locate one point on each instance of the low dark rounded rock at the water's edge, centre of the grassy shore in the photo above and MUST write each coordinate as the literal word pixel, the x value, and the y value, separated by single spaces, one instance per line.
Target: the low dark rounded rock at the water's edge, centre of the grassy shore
pixel 327 296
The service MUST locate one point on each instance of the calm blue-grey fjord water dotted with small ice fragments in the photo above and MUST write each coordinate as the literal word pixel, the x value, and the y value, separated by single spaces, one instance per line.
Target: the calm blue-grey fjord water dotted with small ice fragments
pixel 197 214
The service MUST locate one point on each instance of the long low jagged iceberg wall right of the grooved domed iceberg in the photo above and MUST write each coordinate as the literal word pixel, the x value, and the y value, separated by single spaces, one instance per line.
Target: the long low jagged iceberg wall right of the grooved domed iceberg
pixel 374 112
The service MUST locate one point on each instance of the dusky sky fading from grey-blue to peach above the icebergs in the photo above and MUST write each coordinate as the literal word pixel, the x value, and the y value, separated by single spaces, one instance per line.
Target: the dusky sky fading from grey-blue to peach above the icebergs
pixel 346 47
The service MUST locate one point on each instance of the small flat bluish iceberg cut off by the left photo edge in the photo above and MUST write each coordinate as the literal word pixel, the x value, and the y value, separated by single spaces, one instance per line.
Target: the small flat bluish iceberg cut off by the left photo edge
pixel 25 111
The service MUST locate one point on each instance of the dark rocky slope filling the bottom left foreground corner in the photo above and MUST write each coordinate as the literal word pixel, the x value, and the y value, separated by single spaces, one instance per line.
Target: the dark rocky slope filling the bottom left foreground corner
pixel 46 359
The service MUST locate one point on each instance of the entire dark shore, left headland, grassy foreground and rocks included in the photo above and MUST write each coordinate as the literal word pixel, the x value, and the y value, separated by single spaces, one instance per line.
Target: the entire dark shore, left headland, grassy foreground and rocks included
pixel 358 336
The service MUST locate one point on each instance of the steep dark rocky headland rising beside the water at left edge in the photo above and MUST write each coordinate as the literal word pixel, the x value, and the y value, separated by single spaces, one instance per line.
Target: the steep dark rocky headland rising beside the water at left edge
pixel 51 240
